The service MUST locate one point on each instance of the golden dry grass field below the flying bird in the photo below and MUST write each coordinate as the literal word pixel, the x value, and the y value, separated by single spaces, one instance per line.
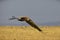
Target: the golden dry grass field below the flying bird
pixel 29 33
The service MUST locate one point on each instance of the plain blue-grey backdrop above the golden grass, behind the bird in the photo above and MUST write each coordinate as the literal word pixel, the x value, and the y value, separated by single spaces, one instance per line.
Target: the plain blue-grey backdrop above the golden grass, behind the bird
pixel 42 12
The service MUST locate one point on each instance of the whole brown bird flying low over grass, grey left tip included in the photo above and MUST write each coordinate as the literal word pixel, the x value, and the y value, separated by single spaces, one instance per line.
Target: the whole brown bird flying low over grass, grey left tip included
pixel 27 20
